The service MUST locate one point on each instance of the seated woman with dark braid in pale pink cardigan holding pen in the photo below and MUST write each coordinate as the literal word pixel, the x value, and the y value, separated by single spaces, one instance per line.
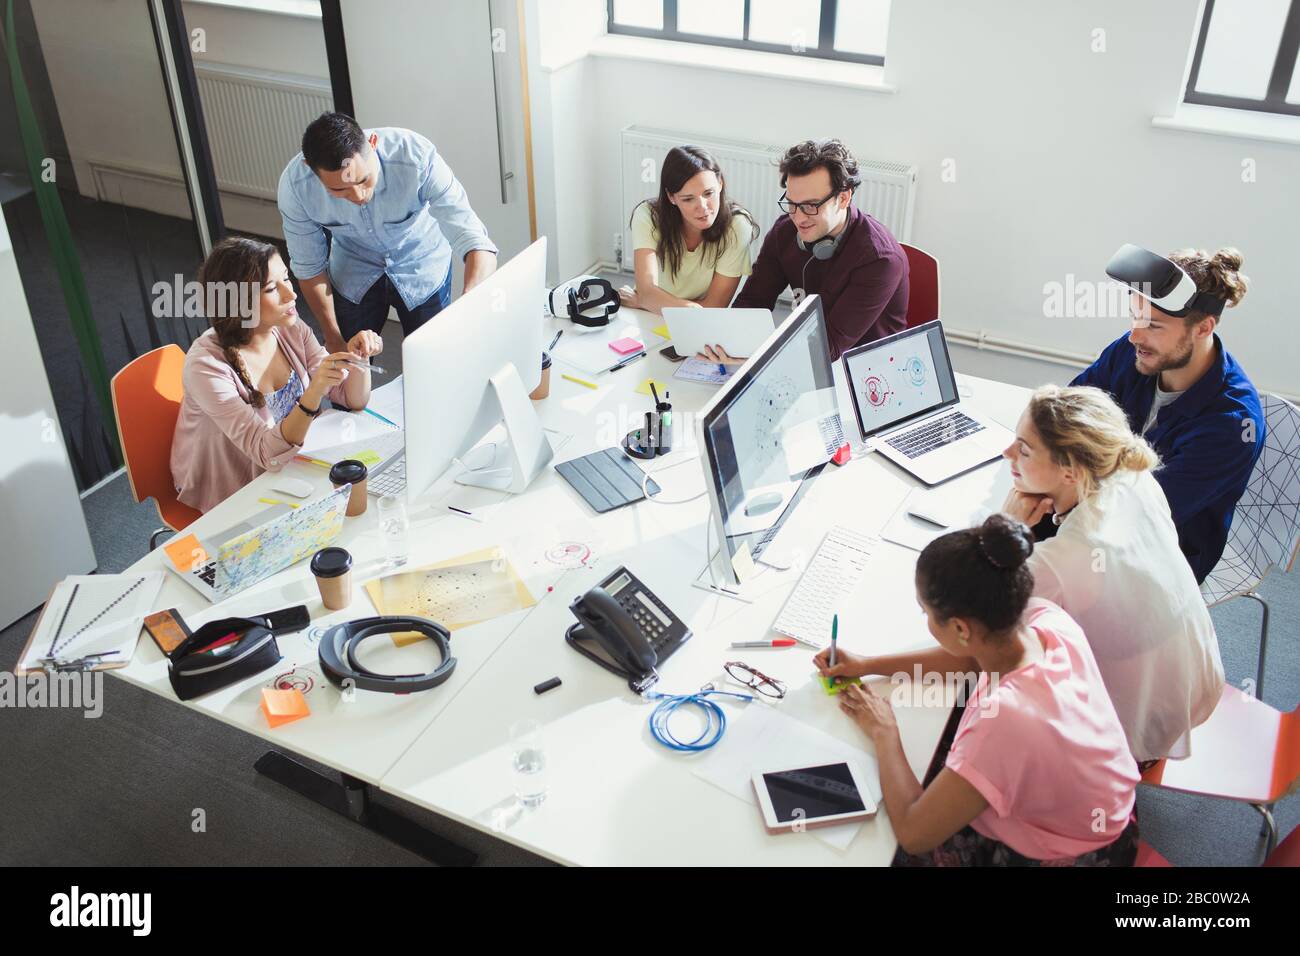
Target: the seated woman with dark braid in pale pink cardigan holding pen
pixel 254 383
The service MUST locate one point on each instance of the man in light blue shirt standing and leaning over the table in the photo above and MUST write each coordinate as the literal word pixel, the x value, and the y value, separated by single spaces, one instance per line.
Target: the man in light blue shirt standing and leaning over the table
pixel 396 217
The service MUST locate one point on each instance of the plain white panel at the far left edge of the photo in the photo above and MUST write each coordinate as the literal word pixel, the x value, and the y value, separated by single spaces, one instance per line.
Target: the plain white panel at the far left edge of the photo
pixel 45 530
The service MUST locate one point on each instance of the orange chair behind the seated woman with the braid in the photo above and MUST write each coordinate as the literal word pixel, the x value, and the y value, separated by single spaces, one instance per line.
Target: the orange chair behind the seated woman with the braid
pixel 146 403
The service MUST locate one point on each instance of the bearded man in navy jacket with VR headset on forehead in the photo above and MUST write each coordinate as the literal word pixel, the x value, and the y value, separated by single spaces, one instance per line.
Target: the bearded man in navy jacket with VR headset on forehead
pixel 1182 390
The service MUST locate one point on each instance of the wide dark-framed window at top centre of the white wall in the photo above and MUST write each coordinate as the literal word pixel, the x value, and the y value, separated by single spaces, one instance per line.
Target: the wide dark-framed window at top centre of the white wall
pixel 826 29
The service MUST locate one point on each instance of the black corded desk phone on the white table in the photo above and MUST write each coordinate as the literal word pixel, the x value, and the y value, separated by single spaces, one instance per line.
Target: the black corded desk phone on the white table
pixel 629 622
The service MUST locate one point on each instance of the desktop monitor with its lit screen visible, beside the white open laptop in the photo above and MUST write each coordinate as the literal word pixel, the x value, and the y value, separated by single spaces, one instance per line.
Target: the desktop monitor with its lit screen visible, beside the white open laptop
pixel 768 435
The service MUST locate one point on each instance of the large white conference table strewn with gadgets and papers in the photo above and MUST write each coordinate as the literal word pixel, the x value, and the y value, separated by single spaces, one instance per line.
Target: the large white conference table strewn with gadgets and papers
pixel 616 797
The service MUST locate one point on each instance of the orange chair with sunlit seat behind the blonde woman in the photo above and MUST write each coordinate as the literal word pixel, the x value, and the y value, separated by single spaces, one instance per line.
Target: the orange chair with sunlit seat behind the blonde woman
pixel 1246 751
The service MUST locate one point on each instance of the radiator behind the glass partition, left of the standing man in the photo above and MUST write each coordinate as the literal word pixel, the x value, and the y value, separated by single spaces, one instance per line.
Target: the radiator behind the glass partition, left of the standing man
pixel 255 123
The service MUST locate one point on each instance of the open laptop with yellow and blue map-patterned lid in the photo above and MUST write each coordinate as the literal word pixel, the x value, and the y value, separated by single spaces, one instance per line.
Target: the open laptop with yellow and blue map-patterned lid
pixel 262 552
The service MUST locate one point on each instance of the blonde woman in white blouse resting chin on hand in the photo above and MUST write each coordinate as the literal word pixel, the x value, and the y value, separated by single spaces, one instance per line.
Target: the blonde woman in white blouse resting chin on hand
pixel 1115 565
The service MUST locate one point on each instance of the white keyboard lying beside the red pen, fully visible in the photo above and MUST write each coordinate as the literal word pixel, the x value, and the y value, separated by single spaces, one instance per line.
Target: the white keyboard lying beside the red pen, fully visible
pixel 835 572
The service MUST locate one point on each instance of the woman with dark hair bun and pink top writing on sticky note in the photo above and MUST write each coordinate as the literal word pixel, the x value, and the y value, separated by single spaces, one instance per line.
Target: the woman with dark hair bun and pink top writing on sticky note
pixel 1035 771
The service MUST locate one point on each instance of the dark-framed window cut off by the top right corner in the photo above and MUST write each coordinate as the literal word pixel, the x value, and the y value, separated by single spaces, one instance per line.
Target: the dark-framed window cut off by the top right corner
pixel 1246 57
